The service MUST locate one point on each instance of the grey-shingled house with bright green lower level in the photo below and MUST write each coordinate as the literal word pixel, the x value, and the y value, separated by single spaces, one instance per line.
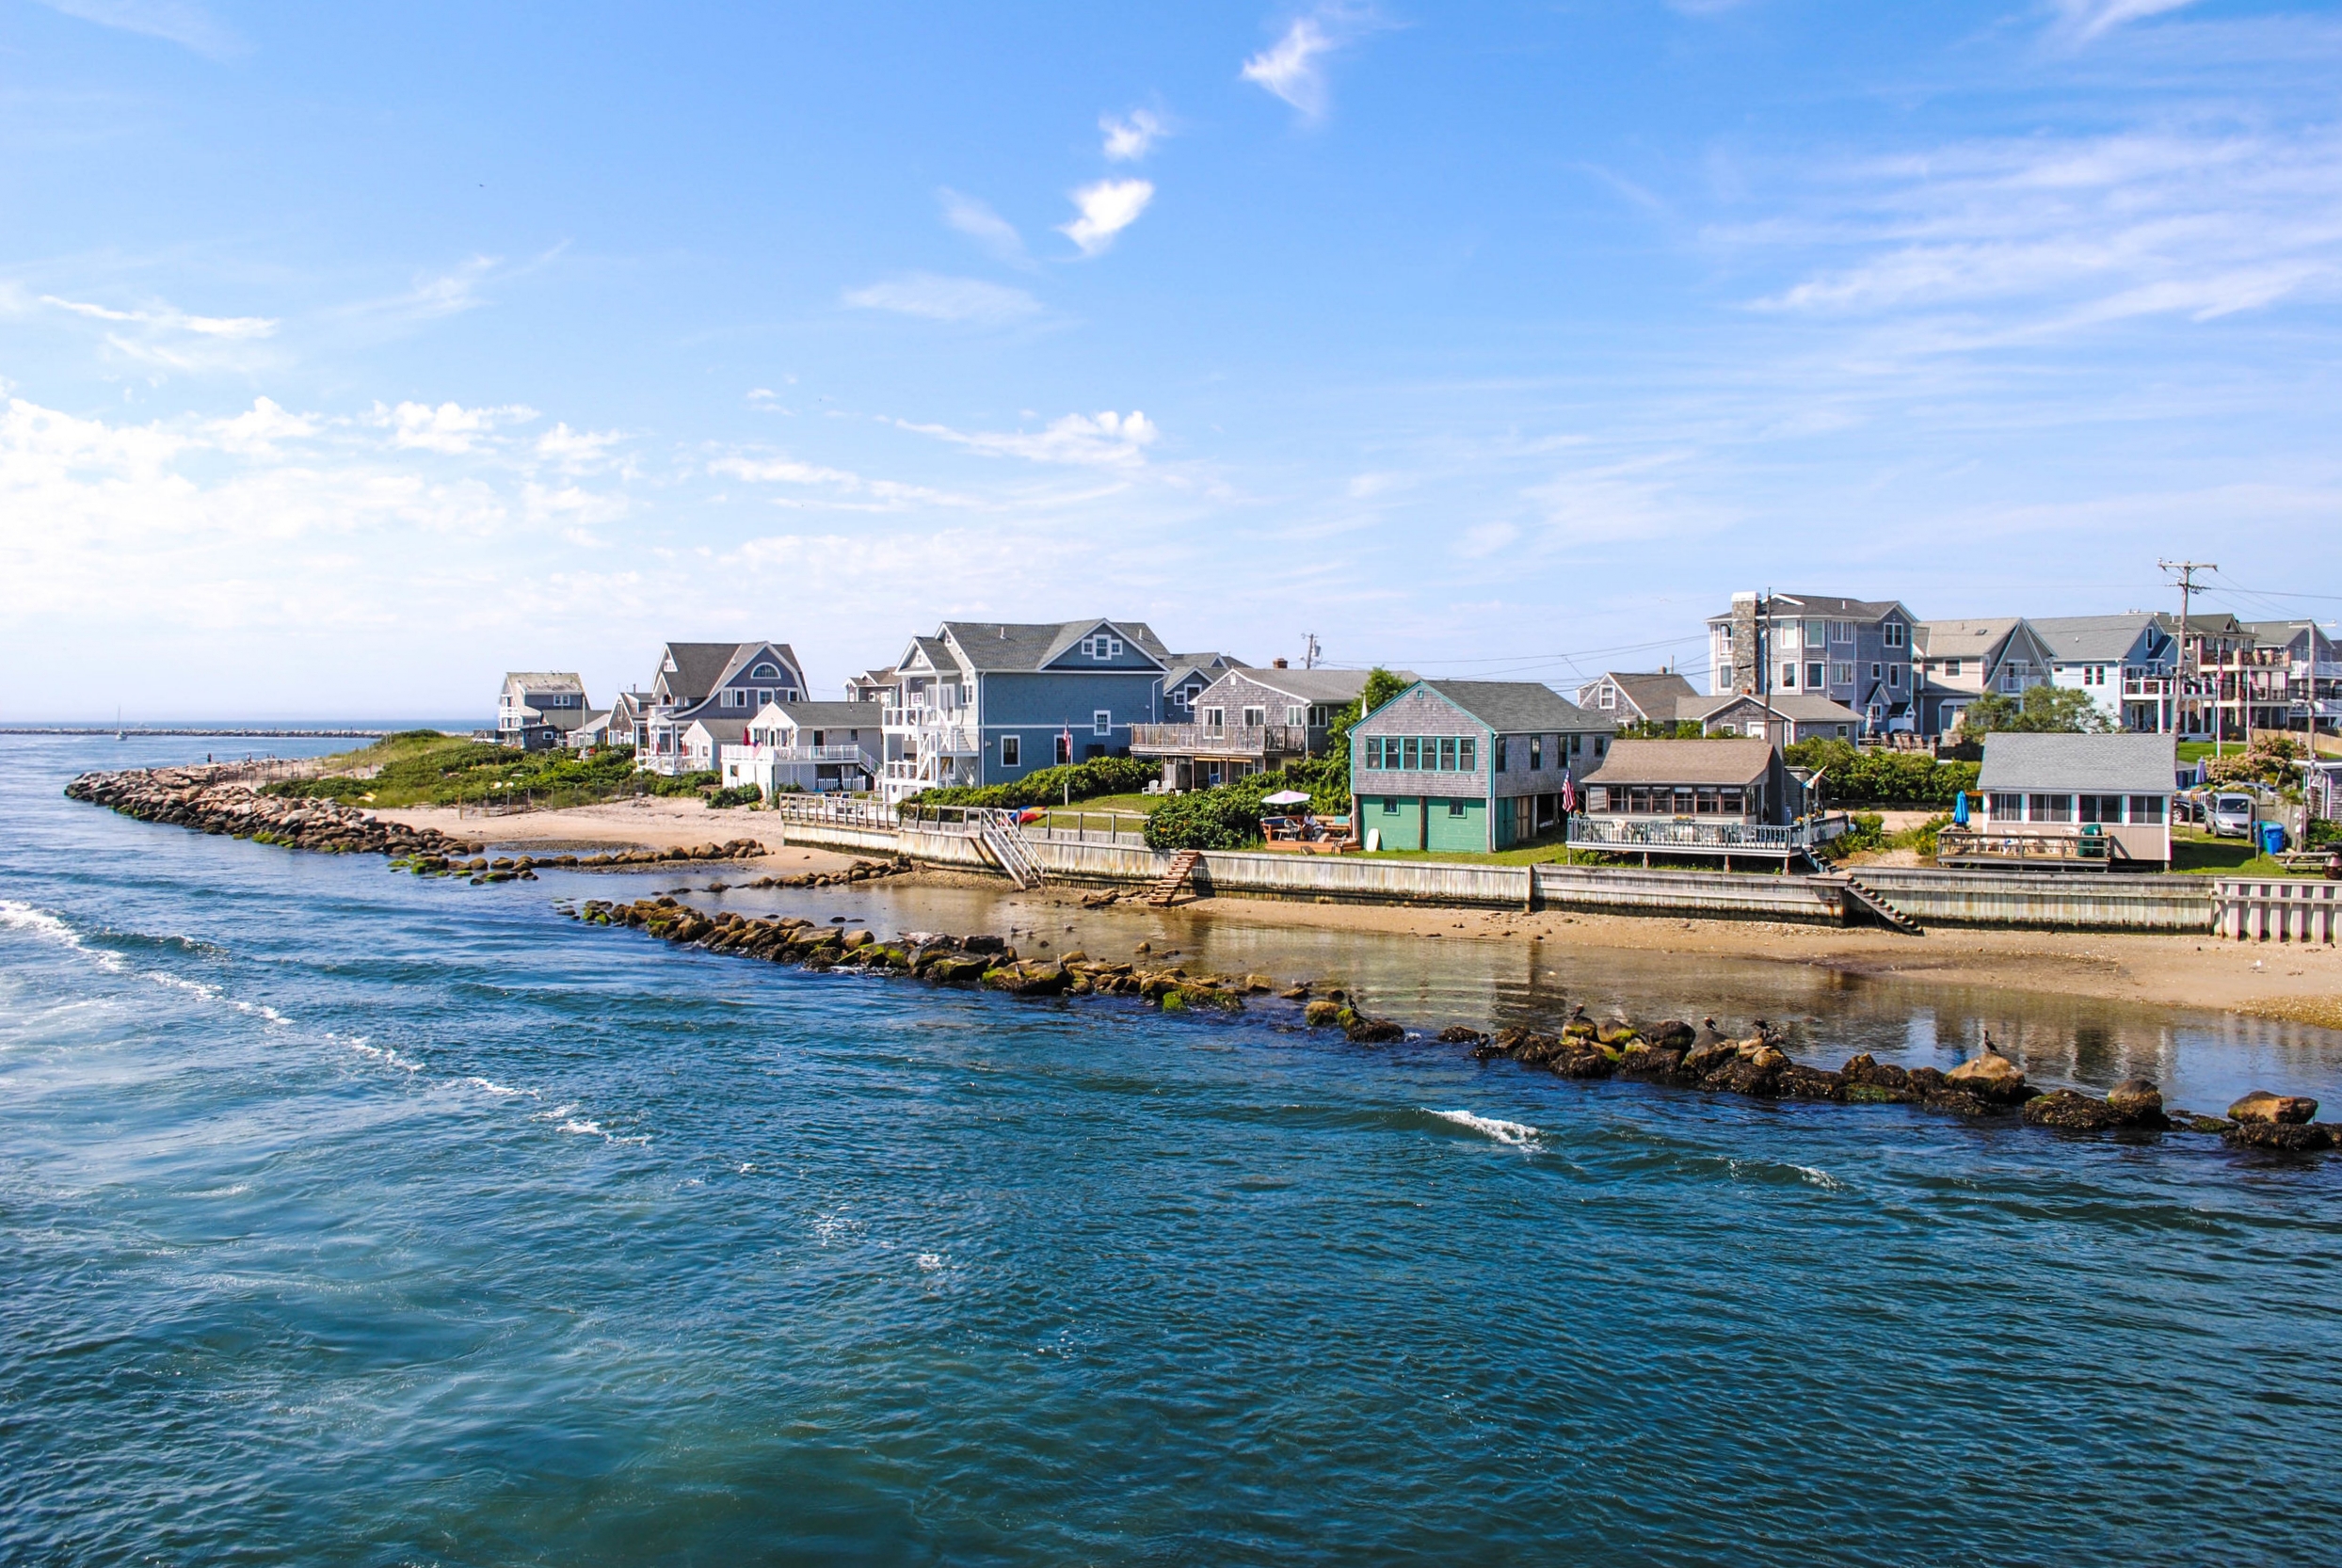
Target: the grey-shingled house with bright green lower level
pixel 1470 766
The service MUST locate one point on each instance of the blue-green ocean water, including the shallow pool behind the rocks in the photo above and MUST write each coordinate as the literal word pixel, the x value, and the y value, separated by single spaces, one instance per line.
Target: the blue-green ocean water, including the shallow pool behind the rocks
pixel 367 1220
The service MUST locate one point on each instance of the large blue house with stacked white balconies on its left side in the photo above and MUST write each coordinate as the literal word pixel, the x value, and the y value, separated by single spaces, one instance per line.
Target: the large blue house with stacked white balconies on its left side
pixel 985 703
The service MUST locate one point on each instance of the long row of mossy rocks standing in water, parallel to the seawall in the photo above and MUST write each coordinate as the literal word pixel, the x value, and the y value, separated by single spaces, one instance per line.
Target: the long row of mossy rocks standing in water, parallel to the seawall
pixel 1673 1054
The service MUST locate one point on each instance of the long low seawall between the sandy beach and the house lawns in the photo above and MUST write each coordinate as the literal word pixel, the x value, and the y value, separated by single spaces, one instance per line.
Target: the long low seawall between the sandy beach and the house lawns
pixel 1933 898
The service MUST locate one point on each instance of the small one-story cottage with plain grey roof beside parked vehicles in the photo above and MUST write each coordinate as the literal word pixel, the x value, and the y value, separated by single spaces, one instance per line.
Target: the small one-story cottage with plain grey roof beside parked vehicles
pixel 2069 804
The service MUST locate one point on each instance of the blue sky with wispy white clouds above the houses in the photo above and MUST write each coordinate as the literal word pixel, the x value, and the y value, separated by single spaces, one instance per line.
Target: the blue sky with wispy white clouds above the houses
pixel 355 355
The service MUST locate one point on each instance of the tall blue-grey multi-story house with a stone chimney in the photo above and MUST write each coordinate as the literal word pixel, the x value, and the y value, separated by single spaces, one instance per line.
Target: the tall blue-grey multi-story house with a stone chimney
pixel 1854 652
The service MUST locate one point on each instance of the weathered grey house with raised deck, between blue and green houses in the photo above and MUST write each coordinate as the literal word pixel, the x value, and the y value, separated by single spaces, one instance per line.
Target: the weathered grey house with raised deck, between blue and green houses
pixel 1249 722
